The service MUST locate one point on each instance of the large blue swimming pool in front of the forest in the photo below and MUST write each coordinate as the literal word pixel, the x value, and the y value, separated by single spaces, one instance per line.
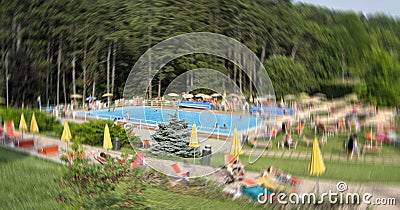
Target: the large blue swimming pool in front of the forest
pixel 206 120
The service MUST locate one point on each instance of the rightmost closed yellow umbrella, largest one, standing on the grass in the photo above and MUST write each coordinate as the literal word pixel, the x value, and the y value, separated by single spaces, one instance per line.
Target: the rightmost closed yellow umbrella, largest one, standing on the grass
pixel 316 166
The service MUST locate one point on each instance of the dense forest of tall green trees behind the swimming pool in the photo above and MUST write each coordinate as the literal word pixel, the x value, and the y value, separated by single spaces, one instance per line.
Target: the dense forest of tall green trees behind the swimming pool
pixel 57 48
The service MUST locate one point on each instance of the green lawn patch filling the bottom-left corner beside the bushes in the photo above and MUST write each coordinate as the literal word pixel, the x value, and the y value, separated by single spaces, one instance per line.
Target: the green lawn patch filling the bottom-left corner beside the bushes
pixel 27 182
